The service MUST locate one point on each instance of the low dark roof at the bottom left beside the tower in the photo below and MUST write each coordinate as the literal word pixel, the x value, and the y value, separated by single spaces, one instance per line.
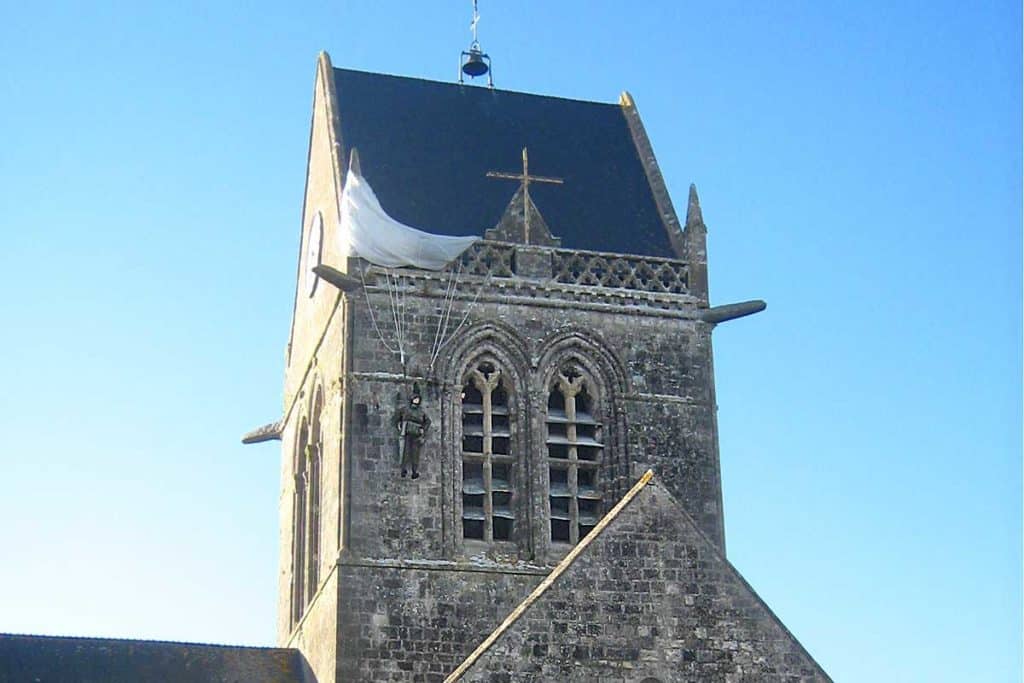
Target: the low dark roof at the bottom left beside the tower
pixel 58 660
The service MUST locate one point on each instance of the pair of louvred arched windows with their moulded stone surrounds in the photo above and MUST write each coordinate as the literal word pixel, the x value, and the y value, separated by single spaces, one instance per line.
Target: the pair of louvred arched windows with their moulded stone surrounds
pixel 535 472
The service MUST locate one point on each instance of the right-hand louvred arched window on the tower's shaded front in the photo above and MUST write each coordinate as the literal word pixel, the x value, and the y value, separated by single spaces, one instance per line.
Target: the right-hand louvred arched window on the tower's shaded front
pixel 576 443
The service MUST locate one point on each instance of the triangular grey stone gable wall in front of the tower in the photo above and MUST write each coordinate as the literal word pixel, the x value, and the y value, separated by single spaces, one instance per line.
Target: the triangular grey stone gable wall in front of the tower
pixel 652 599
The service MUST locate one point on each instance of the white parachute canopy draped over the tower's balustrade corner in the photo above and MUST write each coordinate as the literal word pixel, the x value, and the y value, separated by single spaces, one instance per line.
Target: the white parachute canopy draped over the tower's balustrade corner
pixel 369 233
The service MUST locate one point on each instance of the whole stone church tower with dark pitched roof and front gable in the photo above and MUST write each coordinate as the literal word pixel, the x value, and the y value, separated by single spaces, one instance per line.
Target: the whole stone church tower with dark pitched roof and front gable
pixel 557 359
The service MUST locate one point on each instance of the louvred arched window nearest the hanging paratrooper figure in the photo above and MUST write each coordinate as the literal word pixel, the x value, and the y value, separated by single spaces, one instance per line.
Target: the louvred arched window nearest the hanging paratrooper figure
pixel 488 464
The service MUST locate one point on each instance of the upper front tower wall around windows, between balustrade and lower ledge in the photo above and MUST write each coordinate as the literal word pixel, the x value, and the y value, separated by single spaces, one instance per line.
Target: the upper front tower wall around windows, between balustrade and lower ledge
pixel 659 408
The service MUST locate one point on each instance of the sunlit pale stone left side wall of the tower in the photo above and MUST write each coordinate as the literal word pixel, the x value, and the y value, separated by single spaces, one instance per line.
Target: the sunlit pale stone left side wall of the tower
pixel 315 363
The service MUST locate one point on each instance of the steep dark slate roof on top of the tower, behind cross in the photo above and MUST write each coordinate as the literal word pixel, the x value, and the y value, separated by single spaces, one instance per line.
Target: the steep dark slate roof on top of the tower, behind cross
pixel 425 148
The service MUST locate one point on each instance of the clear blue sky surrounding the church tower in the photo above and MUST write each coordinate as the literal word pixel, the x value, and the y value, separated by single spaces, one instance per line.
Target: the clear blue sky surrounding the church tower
pixel 860 168
